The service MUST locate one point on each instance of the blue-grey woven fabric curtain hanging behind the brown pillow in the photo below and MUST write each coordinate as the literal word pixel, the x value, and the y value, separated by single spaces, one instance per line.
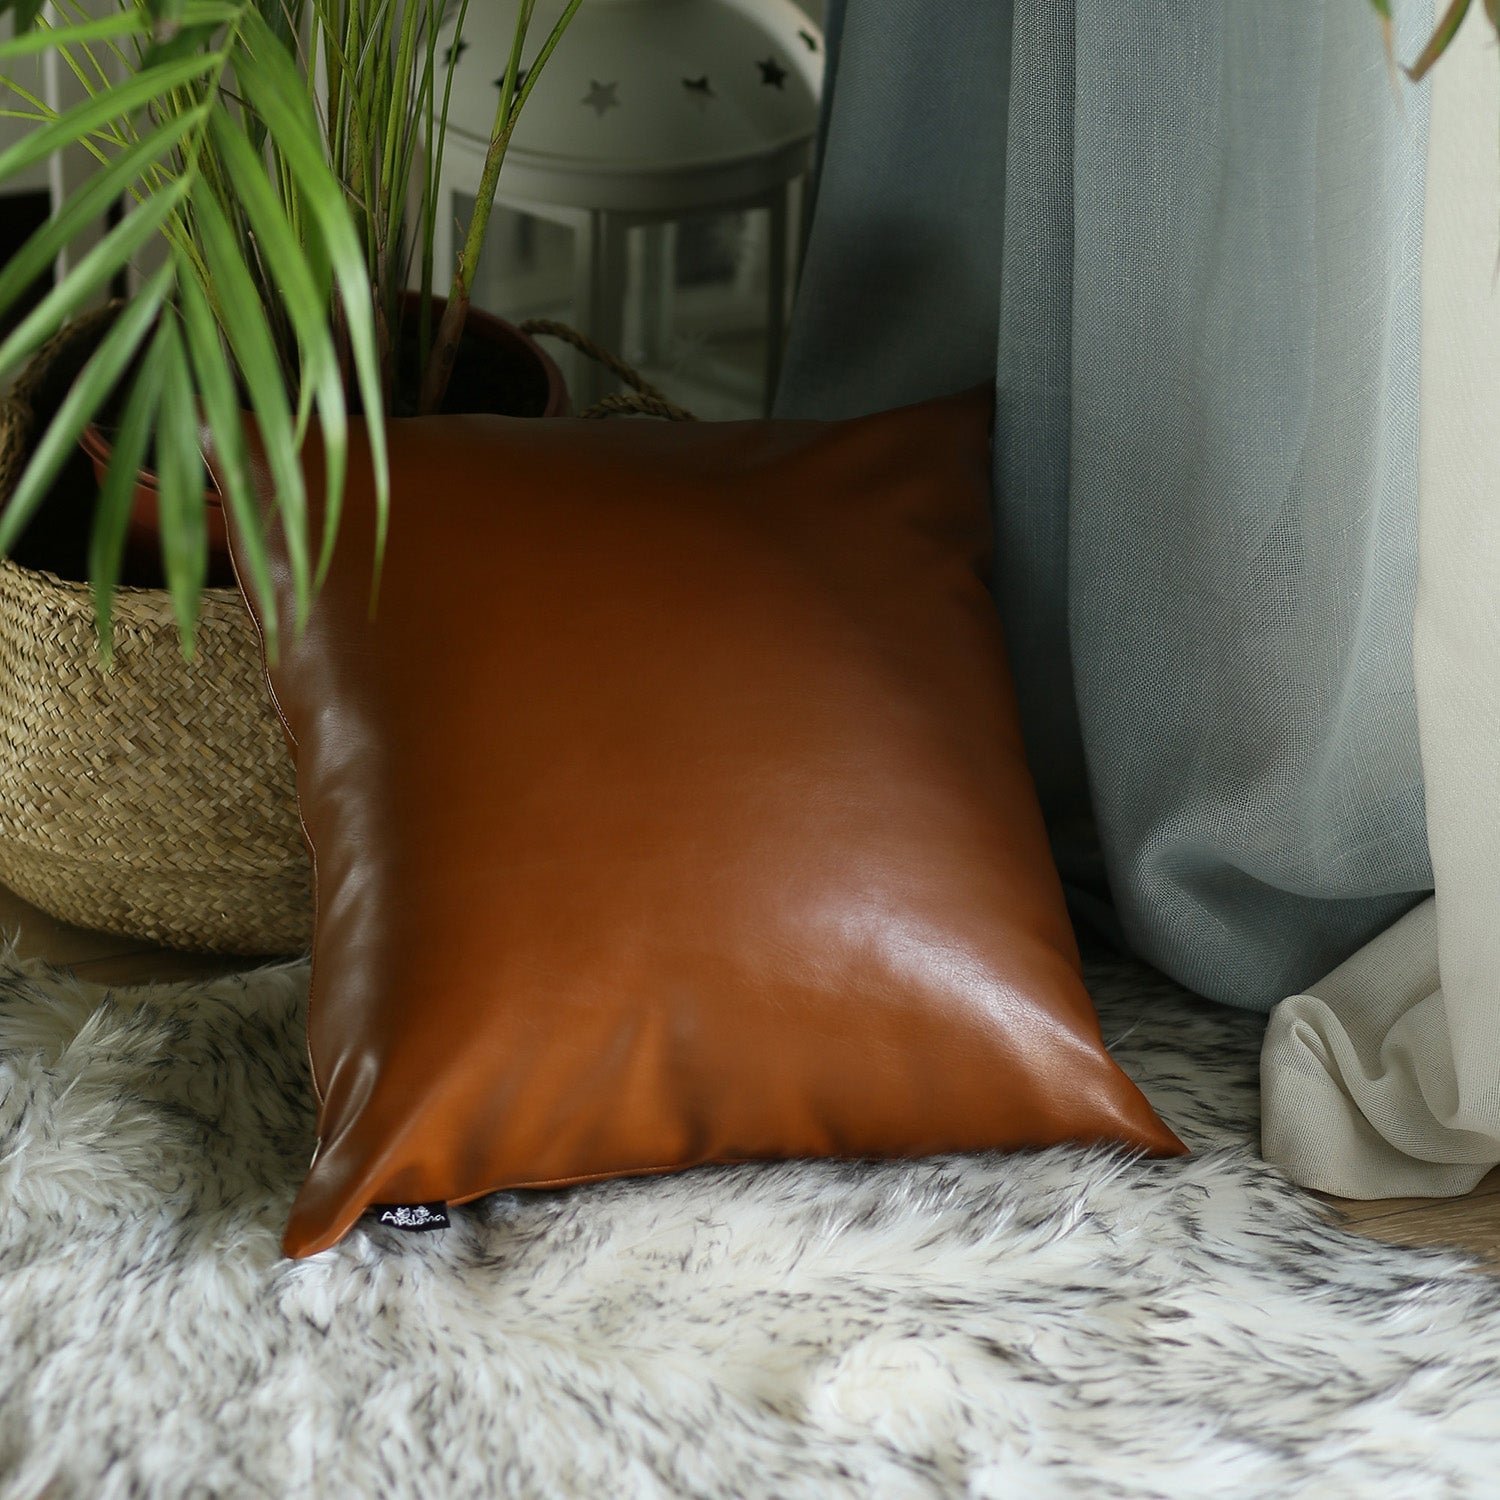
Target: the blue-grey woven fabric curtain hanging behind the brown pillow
pixel 1184 241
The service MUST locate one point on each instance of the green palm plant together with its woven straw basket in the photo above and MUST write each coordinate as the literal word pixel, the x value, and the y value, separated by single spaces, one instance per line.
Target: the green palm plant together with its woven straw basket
pixel 280 163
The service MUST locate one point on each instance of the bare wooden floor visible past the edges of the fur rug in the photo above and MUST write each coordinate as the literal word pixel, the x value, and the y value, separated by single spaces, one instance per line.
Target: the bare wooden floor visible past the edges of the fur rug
pixel 1471 1223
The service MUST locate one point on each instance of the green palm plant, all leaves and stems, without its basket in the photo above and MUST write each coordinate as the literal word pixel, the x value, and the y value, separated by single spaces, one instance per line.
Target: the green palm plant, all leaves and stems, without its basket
pixel 283 157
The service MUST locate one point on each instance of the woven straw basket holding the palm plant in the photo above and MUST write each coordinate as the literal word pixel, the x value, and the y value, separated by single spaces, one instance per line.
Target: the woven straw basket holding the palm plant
pixel 157 799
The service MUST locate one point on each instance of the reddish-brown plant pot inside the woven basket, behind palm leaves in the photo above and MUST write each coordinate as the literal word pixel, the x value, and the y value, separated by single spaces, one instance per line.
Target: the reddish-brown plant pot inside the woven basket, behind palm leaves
pixel 532 376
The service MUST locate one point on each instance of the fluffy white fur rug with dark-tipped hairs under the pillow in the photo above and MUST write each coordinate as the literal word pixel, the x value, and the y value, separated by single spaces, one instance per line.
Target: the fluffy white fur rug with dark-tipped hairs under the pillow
pixel 1060 1324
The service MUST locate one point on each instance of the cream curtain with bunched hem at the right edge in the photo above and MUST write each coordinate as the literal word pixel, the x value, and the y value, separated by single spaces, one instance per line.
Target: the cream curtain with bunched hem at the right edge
pixel 1384 1079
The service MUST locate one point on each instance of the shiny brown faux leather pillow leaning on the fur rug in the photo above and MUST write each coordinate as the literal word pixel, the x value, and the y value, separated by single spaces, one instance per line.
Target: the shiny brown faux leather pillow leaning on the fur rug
pixel 674 811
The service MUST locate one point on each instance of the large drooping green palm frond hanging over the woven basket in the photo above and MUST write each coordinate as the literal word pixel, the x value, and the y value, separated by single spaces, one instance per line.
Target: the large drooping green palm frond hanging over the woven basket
pixel 245 229
